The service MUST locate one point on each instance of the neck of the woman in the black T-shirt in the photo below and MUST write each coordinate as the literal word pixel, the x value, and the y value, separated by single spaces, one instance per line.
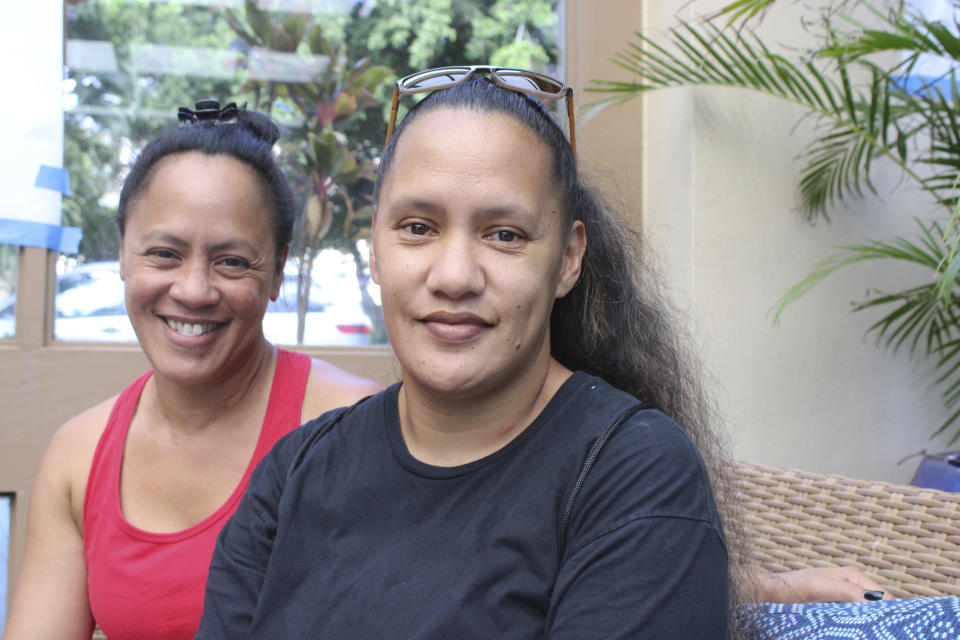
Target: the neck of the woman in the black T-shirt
pixel 448 432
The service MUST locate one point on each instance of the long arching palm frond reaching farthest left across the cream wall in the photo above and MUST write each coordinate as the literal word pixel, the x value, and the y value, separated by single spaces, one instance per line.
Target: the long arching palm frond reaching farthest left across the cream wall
pixel 858 120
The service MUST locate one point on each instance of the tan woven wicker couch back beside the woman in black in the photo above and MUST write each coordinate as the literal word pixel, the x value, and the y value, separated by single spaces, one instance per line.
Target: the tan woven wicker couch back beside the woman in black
pixel 907 537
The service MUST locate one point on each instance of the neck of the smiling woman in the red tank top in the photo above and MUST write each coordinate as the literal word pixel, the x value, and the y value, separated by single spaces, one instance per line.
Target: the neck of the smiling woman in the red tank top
pixel 193 408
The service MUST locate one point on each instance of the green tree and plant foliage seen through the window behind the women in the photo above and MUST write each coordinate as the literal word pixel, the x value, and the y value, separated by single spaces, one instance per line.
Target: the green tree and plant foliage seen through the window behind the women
pixel 333 124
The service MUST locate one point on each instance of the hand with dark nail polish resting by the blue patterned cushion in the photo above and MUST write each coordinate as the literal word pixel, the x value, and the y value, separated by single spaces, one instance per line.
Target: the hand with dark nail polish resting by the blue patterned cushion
pixel 829 584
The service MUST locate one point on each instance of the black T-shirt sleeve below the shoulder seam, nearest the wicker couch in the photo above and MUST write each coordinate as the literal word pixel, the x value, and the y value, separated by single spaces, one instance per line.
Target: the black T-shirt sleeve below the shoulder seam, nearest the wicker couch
pixel 650 578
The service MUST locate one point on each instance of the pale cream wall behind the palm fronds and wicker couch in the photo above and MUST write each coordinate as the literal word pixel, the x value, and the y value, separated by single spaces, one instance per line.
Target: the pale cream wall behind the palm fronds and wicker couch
pixel 719 199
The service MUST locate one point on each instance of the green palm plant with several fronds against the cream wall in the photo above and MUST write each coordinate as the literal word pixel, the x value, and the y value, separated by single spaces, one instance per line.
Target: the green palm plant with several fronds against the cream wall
pixel 865 110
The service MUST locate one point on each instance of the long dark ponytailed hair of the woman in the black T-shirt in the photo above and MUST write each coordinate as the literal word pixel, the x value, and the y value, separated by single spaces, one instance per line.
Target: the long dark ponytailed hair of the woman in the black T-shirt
pixel 615 323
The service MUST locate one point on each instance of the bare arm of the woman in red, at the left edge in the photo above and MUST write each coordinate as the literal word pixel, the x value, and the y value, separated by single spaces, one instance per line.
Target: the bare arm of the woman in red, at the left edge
pixel 50 600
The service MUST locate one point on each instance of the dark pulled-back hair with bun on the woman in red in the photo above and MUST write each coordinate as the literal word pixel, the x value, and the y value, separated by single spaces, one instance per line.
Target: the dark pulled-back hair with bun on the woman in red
pixel 249 139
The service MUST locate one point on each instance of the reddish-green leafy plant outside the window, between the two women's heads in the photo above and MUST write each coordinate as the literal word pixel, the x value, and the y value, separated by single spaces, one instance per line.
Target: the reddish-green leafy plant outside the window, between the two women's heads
pixel 337 211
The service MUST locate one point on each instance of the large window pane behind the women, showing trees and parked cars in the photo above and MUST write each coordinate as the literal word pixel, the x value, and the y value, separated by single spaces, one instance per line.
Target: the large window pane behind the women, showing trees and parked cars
pixel 321 68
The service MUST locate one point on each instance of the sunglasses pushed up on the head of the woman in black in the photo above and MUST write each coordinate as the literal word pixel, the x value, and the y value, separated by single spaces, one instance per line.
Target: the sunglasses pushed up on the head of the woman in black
pixel 519 80
